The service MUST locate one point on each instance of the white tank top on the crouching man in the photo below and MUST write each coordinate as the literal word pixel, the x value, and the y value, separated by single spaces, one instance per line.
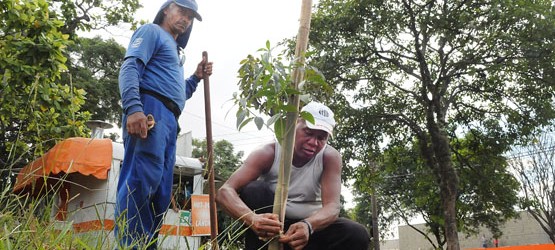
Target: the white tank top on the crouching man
pixel 304 197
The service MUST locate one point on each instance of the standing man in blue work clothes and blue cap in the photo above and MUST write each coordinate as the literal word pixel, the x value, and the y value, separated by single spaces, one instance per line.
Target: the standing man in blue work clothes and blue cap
pixel 153 91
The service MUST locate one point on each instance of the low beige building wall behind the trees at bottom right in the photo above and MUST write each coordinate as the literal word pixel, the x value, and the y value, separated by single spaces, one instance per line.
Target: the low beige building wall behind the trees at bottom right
pixel 522 231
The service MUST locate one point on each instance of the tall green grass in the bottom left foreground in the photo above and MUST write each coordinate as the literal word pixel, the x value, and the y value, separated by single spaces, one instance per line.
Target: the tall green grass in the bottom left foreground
pixel 26 223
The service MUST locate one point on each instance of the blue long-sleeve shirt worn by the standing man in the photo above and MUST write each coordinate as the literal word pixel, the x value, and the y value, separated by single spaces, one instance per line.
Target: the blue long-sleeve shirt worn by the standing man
pixel 152 63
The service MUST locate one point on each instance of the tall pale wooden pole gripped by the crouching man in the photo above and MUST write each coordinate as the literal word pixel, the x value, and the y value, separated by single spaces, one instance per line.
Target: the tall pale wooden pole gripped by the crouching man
pixel 284 174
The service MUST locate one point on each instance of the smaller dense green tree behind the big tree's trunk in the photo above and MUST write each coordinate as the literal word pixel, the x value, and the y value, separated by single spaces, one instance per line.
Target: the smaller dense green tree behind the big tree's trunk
pixel 487 190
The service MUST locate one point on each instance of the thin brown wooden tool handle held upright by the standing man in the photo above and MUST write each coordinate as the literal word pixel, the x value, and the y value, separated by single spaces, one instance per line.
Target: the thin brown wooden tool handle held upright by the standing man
pixel 210 151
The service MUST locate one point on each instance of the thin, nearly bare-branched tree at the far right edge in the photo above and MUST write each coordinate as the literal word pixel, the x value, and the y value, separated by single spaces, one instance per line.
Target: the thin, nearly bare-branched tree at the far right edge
pixel 535 168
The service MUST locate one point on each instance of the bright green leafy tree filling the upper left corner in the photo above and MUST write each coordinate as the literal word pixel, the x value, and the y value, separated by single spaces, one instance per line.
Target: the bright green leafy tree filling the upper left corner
pixel 39 106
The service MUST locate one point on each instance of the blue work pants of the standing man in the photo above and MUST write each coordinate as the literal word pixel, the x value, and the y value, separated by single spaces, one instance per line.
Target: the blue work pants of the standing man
pixel 146 178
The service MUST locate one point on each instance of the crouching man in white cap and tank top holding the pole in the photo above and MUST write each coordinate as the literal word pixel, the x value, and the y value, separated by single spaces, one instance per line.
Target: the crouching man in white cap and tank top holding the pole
pixel 311 219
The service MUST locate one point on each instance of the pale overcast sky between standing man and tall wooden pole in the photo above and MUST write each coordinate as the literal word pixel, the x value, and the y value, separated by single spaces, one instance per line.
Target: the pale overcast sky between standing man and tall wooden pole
pixel 229 32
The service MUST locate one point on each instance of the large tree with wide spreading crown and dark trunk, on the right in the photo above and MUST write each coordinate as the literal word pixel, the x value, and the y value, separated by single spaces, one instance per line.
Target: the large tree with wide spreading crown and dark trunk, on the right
pixel 427 71
